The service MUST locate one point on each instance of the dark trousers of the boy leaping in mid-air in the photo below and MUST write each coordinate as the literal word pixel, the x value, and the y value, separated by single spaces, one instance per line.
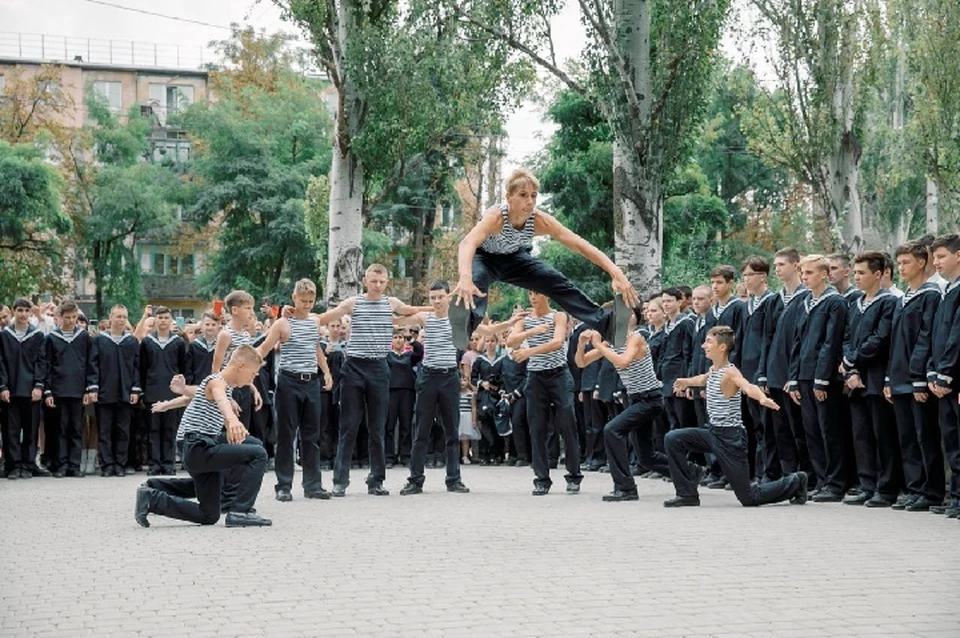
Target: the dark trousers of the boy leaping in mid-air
pixel 526 271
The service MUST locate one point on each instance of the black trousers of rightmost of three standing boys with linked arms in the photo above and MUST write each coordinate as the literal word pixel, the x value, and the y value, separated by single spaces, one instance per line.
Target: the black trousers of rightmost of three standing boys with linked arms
pixel 438 395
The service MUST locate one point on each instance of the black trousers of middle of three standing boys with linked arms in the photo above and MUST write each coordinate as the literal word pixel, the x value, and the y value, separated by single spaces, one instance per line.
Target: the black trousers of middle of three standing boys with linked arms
pixel 364 390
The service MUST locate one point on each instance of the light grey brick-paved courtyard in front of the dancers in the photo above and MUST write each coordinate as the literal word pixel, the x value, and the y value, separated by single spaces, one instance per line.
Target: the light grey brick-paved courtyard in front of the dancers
pixel 496 562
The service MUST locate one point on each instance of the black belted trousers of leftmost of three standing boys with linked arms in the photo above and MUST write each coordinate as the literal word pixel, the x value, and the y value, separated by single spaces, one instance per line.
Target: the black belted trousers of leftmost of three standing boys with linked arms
pixel 298 408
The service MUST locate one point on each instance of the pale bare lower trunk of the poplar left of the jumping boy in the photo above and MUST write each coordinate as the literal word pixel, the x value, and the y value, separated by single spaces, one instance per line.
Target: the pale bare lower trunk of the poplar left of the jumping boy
pixel 345 251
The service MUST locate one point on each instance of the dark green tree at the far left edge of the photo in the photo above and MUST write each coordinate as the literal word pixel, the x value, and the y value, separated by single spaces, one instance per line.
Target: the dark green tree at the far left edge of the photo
pixel 30 219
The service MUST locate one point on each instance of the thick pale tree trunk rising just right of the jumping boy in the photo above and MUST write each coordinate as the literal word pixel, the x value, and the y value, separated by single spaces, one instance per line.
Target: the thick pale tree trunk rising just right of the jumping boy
pixel 637 184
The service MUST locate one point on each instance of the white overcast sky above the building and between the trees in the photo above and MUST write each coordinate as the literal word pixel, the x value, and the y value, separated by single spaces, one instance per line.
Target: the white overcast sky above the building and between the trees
pixel 82 19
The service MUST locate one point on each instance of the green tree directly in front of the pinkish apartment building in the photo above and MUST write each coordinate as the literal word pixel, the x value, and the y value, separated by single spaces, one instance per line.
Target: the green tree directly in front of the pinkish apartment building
pixel 117 197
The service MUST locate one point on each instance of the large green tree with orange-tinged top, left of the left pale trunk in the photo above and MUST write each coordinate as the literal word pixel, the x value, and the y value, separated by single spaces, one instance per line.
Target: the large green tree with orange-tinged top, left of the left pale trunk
pixel 256 149
